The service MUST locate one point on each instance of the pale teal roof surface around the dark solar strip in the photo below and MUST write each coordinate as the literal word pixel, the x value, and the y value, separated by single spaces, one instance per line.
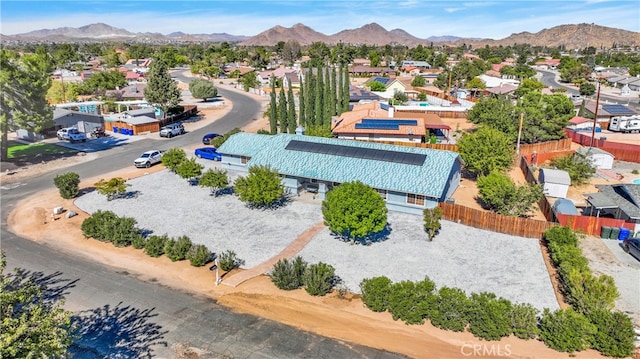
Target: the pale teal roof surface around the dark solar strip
pixel 430 178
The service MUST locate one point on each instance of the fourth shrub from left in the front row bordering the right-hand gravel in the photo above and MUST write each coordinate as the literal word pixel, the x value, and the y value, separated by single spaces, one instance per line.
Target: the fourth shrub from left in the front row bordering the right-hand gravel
pixel 489 317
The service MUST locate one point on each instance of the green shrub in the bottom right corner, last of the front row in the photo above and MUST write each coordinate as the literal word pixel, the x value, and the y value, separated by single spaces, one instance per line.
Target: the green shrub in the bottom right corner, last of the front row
pixel 615 334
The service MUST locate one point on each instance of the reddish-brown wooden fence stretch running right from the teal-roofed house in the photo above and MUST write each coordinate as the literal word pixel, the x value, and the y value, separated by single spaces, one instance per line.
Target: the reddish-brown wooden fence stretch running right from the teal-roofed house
pixel 522 227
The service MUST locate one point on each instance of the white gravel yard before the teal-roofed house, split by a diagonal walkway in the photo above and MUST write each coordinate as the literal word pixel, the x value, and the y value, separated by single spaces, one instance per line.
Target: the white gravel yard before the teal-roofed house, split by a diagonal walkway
pixel 468 258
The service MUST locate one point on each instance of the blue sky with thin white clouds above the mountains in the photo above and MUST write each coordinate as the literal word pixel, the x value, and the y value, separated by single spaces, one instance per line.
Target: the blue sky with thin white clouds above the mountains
pixel 421 18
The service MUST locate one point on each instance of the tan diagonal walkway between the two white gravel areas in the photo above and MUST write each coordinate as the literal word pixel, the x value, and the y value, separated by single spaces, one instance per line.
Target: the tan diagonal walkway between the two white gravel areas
pixel 294 248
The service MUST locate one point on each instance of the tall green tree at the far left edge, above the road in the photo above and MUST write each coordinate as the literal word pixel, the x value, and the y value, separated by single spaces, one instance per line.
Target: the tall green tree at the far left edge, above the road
pixel 24 82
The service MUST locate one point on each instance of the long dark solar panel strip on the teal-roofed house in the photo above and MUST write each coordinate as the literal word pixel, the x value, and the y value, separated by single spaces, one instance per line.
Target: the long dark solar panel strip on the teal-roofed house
pixel 416 159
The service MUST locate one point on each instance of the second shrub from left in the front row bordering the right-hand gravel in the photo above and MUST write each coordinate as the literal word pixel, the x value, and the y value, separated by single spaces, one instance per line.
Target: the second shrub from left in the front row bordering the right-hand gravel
pixel 410 301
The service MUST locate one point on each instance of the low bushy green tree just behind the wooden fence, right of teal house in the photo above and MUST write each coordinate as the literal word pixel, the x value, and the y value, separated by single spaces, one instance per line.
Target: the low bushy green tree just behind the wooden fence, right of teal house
pixel 500 194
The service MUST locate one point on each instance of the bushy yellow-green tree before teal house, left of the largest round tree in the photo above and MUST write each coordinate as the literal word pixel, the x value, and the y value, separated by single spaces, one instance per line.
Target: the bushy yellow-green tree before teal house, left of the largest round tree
pixel 261 188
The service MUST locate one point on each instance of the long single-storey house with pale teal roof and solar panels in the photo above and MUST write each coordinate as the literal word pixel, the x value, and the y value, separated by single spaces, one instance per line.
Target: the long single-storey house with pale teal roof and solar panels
pixel 410 179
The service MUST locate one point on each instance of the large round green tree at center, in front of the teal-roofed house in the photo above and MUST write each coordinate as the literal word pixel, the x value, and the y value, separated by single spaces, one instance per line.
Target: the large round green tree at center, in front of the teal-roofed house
pixel 354 210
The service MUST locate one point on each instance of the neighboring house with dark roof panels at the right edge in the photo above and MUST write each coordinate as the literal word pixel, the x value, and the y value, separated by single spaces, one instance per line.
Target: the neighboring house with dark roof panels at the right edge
pixel 619 201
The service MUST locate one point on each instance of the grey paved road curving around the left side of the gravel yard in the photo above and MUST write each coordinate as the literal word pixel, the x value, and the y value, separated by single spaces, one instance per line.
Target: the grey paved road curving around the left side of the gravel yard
pixel 121 316
